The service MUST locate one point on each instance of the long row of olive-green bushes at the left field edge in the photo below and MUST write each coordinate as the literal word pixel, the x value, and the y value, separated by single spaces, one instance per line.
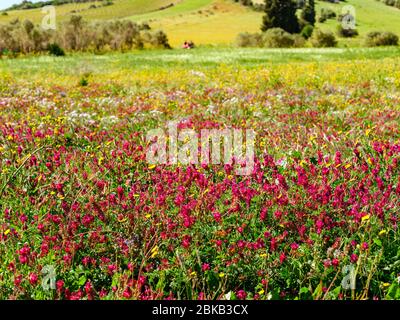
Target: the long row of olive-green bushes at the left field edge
pixel 79 35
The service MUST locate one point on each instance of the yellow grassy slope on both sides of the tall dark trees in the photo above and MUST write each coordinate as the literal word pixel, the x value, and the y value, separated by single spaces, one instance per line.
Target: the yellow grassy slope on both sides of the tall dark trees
pixel 219 21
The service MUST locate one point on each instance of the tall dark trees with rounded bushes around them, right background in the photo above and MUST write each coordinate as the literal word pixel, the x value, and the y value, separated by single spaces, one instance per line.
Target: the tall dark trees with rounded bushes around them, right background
pixel 287 23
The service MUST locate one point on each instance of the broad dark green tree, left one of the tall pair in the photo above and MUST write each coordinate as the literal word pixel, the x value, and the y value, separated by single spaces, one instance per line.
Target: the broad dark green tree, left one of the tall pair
pixel 280 14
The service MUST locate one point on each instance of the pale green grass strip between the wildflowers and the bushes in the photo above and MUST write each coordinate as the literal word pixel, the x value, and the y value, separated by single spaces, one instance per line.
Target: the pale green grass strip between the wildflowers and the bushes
pixel 123 65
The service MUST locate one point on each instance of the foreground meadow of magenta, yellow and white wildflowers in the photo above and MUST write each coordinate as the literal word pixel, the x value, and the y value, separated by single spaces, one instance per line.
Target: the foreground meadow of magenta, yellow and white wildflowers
pixel 84 213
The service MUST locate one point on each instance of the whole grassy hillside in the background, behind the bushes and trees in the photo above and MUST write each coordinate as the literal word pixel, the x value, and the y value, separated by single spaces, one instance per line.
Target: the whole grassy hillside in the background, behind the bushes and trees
pixel 215 21
